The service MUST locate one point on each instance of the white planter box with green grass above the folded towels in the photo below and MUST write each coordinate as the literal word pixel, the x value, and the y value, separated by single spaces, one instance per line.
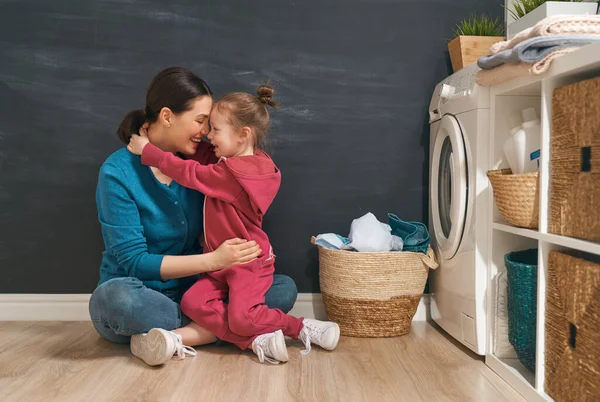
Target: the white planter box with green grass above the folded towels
pixel 523 14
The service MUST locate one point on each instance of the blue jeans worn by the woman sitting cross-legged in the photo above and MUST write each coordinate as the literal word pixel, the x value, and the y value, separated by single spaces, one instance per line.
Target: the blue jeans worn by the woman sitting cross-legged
pixel 122 307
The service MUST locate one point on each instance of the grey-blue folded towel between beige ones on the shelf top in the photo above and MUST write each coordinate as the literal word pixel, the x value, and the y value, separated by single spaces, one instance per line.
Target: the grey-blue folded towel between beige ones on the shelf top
pixel 535 49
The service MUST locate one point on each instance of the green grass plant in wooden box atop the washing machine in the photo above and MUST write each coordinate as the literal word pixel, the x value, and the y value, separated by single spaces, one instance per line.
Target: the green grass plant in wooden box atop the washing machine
pixel 473 38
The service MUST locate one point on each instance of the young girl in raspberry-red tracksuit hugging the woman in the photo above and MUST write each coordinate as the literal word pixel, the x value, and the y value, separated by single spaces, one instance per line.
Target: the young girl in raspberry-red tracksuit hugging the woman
pixel 240 182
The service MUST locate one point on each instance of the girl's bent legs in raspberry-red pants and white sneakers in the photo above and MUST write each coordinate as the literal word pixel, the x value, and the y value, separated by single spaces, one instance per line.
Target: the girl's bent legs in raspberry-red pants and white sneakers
pixel 246 321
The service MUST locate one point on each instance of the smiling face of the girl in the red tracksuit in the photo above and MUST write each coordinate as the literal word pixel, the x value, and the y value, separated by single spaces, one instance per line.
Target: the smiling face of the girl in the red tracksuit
pixel 224 137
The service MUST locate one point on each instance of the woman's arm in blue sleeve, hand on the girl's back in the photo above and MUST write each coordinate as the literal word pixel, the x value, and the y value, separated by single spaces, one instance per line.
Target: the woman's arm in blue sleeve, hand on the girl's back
pixel 124 237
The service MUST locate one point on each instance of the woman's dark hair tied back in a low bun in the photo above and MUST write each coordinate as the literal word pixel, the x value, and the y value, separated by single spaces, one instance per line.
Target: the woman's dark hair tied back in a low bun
pixel 175 88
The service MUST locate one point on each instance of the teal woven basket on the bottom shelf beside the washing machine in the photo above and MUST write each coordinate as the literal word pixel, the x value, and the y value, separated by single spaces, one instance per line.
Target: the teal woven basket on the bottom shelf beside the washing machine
pixel 521 267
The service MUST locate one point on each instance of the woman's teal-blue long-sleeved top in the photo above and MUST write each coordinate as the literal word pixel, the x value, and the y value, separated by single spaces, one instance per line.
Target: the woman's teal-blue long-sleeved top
pixel 142 220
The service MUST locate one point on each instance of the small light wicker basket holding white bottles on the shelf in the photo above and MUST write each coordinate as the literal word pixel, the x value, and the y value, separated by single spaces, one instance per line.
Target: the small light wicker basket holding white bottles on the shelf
pixel 517 196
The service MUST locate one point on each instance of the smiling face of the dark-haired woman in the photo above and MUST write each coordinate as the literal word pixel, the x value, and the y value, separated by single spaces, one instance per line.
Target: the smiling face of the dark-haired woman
pixel 185 130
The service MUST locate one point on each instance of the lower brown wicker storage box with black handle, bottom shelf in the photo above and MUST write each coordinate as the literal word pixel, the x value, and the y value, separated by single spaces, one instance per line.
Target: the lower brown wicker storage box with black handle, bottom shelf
pixel 572 329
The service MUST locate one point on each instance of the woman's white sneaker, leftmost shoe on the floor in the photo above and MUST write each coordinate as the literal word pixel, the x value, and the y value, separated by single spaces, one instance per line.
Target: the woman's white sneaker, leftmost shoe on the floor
pixel 158 346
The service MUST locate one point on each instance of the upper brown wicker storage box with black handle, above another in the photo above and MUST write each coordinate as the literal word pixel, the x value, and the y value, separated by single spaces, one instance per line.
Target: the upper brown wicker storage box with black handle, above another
pixel 575 161
